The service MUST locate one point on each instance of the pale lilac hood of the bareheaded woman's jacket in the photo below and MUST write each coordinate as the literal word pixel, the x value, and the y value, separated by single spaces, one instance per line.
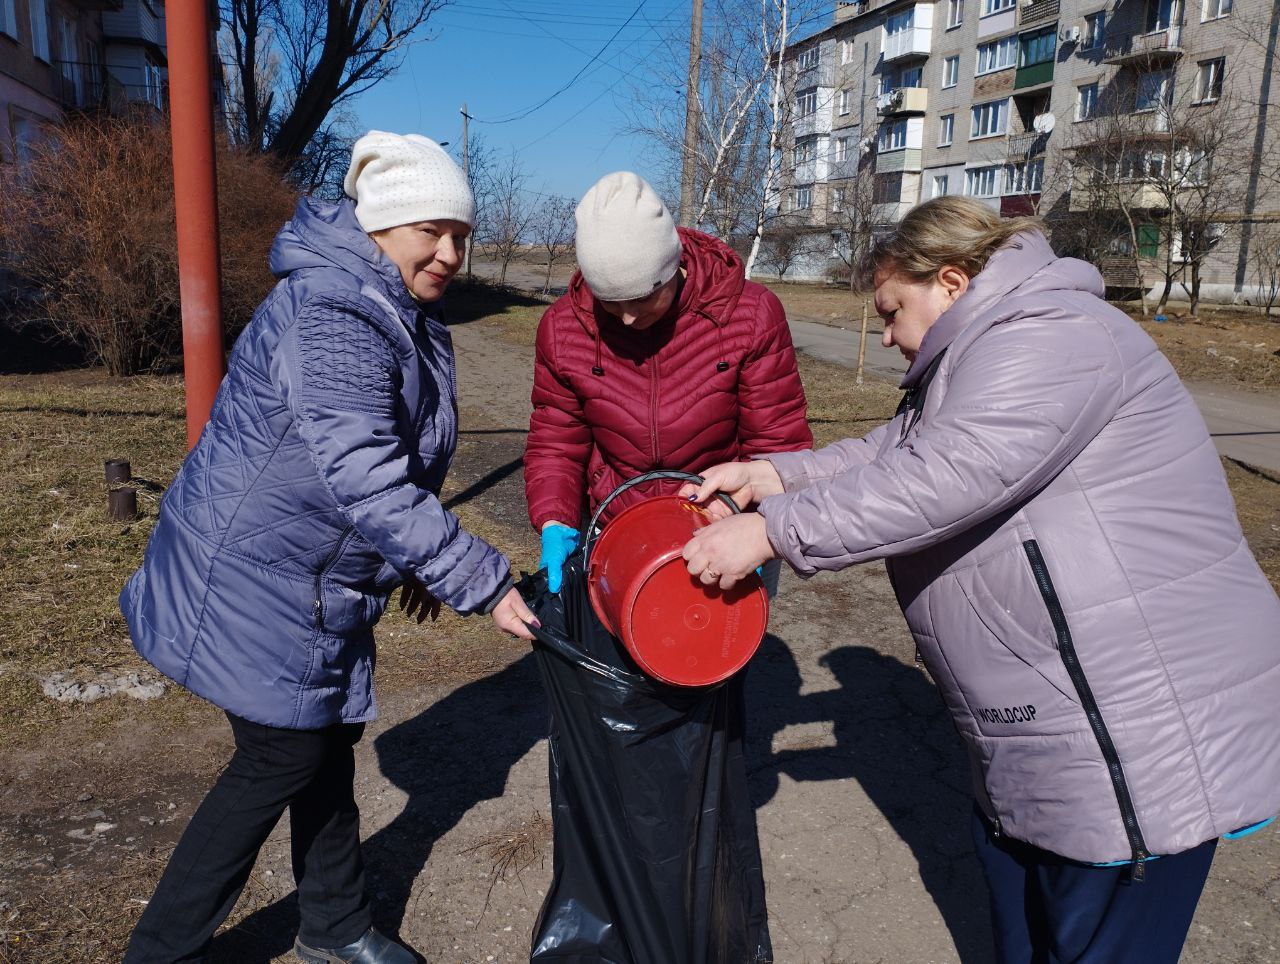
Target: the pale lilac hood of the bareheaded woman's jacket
pixel 1025 266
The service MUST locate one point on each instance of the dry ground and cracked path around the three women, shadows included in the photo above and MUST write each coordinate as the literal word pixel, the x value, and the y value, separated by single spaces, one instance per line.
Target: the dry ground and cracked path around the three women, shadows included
pixel 858 778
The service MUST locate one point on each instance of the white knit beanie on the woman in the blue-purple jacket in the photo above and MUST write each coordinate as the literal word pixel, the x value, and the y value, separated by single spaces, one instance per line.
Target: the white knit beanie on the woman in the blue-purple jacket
pixel 404 180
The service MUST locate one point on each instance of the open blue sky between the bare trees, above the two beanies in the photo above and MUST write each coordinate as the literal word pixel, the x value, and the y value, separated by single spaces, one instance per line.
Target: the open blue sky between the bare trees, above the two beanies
pixel 506 57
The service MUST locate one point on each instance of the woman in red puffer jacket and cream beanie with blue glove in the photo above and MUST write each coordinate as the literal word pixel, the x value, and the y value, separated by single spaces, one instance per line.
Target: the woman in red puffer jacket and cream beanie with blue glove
pixel 662 355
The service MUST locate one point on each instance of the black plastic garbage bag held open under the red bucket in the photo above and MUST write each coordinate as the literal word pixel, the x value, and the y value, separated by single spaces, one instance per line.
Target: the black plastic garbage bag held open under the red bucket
pixel 657 856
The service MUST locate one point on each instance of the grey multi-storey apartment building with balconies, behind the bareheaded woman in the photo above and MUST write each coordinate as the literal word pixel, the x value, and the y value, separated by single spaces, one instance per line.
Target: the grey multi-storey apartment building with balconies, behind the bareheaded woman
pixel 1008 102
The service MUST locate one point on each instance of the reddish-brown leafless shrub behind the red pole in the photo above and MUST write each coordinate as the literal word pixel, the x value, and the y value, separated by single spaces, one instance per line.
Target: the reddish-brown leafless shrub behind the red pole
pixel 88 229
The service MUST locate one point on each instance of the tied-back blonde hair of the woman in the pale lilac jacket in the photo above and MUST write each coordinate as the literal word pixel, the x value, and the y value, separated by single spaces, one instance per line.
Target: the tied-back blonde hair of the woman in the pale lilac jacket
pixel 945 231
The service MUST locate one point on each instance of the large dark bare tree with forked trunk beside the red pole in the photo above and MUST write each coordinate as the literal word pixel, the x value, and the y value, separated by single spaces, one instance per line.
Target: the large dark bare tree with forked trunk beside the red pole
pixel 292 62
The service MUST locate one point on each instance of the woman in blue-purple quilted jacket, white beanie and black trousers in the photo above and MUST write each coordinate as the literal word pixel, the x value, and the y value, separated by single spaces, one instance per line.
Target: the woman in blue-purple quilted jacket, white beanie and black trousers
pixel 313 492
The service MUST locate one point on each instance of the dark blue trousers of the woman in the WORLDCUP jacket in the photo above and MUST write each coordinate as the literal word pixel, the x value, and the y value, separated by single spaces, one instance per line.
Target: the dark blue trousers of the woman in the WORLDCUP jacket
pixel 1046 910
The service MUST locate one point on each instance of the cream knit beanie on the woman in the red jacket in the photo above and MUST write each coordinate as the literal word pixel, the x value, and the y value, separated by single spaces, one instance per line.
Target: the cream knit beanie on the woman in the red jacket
pixel 628 245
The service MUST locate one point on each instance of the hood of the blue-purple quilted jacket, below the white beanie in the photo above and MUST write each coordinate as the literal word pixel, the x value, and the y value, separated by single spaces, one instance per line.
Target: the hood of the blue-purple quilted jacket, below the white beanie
pixel 323 235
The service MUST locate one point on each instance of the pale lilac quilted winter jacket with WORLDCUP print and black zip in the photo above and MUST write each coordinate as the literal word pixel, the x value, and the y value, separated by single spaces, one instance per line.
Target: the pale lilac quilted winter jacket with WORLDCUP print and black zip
pixel 1066 550
